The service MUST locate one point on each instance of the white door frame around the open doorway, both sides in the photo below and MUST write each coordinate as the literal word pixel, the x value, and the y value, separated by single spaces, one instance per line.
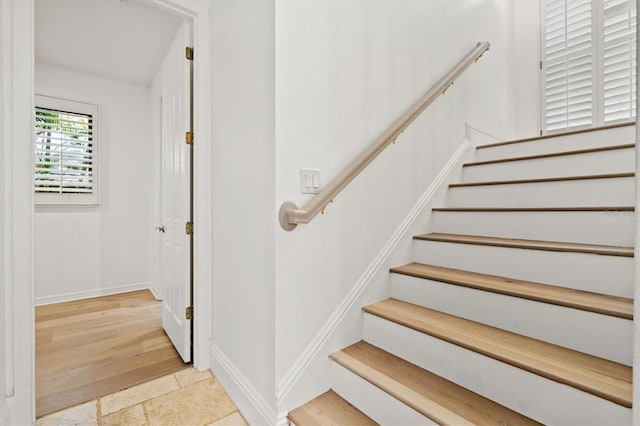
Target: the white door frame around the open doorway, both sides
pixel 17 390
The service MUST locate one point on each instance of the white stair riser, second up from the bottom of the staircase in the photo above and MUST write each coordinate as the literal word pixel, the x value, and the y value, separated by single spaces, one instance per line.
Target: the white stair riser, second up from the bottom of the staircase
pixel 534 396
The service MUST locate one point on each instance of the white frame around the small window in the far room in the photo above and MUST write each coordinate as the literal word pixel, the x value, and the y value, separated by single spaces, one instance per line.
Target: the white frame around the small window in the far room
pixel 74 107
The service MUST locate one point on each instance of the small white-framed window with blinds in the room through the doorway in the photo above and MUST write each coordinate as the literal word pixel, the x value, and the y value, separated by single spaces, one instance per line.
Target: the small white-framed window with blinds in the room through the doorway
pixel 65 155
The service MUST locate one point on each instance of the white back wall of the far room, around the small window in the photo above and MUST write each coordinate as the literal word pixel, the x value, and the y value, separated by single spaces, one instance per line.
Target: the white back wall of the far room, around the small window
pixel 107 249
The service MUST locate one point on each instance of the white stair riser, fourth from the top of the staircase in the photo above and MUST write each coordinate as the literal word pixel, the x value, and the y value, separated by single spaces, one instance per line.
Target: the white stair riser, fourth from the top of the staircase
pixel 608 228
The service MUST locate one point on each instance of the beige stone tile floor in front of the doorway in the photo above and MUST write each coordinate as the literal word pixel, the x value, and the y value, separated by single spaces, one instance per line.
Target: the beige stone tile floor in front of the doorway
pixel 187 397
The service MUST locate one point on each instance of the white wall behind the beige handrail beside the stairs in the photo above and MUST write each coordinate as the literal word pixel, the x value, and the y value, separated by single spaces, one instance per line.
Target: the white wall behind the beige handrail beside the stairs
pixel 345 71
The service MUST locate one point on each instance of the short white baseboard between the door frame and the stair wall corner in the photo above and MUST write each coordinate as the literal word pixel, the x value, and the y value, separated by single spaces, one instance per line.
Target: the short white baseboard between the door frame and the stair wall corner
pixel 248 400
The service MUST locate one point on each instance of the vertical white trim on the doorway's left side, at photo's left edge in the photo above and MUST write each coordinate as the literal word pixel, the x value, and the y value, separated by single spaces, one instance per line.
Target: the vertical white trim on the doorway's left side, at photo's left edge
pixel 17 80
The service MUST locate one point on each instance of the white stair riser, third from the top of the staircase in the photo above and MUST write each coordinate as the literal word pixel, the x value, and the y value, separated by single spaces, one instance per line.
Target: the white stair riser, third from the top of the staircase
pixel 574 193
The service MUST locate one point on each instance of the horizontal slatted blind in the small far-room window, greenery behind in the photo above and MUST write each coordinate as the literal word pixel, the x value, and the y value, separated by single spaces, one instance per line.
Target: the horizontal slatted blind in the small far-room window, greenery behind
pixel 63 152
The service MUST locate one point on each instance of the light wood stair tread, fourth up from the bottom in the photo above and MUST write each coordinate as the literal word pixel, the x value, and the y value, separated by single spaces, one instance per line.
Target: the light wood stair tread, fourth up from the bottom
pixel 516 291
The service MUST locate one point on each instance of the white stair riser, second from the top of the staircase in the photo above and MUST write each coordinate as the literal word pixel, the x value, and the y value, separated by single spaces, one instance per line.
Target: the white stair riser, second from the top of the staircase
pixel 603 162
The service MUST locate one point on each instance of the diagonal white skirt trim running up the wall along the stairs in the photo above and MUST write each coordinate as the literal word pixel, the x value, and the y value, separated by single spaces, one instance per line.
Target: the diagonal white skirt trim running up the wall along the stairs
pixel 348 304
